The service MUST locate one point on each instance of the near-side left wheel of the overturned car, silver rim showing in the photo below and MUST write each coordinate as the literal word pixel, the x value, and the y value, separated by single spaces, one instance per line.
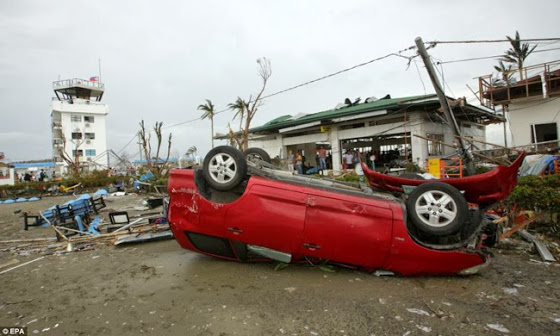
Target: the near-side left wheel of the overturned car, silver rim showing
pixel 224 168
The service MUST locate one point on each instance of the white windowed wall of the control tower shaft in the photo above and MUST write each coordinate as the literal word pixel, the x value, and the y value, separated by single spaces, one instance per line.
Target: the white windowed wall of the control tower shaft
pixel 63 111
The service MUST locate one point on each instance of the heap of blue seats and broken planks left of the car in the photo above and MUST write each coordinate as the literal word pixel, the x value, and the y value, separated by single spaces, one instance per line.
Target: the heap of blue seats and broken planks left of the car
pixel 82 224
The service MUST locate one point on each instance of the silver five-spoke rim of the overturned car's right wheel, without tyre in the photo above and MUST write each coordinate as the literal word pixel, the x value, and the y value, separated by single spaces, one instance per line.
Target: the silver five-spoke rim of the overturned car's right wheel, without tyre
pixel 436 208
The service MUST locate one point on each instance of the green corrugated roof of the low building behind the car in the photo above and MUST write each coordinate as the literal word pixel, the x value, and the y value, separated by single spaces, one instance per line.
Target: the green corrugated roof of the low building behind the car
pixel 381 104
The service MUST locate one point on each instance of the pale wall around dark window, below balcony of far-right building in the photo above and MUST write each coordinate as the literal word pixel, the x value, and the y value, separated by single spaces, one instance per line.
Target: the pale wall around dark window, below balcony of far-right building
pixel 526 113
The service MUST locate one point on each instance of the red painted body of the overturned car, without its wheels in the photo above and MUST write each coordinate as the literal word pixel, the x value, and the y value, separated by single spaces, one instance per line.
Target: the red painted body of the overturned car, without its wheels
pixel 309 223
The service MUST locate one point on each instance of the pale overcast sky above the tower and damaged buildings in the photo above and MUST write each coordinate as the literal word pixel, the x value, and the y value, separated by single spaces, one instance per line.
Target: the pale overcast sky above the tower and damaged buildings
pixel 161 59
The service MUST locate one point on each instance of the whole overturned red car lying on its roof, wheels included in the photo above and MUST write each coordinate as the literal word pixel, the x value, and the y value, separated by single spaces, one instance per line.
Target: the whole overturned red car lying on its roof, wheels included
pixel 231 211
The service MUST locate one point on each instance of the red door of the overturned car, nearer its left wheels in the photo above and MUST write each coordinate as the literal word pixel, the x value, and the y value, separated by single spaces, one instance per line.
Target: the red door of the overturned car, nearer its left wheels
pixel 271 216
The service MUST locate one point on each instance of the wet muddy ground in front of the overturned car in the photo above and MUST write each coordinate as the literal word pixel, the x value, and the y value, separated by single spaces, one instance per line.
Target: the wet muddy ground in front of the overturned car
pixel 158 288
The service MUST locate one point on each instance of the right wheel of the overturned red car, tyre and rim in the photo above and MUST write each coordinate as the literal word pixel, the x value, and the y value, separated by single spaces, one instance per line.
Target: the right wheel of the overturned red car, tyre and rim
pixel 437 208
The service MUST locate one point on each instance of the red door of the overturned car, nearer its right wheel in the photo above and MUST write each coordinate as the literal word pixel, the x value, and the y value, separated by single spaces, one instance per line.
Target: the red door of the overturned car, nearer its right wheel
pixel 347 229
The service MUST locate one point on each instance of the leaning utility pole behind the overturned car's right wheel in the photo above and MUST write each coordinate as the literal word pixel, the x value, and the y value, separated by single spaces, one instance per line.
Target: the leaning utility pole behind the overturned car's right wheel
pixel 467 155
